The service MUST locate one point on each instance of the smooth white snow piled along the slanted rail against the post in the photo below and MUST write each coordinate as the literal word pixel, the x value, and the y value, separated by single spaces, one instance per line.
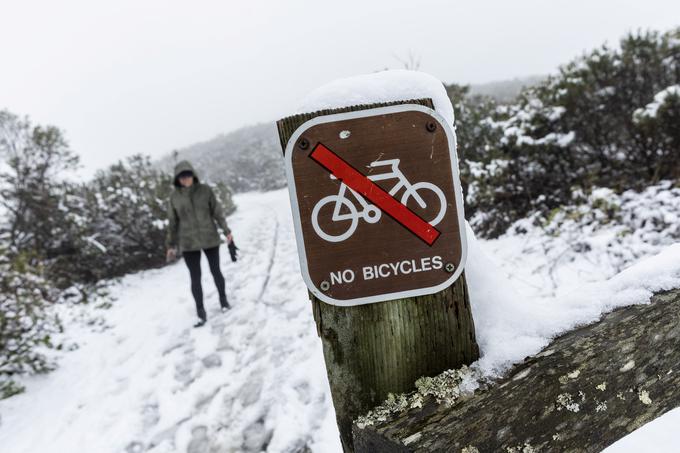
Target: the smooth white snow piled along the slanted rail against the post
pixel 511 326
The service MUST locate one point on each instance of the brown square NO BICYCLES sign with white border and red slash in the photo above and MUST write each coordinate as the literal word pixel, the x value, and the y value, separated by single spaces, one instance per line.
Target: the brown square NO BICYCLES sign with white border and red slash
pixel 377 204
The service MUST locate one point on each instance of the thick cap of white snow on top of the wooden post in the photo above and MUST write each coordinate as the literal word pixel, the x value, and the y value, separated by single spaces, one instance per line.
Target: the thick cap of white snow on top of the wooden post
pixel 379 87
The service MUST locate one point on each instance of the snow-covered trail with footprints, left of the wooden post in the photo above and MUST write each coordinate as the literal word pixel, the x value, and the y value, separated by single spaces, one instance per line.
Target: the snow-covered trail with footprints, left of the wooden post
pixel 144 380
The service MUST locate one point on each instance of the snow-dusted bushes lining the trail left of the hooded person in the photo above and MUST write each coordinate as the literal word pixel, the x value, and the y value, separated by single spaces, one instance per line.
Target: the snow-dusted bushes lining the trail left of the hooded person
pixel 63 240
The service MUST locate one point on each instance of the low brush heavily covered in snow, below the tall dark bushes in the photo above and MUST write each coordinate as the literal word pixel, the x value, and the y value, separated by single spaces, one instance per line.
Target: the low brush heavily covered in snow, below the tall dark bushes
pixel 596 236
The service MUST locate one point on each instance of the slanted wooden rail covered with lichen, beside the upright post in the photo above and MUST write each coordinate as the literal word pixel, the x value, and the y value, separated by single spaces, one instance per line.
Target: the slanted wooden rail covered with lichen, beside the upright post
pixel 583 392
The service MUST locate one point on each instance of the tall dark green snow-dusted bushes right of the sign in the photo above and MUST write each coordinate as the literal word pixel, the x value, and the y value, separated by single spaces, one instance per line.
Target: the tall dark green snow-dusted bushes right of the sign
pixel 607 119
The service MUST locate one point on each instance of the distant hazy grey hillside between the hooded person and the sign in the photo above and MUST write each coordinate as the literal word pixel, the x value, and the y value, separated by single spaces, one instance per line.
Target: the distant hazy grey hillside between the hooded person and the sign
pixel 246 159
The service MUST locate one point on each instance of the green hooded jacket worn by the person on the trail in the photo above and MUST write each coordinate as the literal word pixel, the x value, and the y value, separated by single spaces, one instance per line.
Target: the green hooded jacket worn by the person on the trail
pixel 192 214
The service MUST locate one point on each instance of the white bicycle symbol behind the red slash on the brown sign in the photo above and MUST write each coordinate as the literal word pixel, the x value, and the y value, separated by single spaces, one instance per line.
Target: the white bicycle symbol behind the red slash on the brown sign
pixel 370 213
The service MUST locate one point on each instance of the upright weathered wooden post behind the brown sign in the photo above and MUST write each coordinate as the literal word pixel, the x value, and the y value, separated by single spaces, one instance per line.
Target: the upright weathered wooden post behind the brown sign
pixel 375 349
